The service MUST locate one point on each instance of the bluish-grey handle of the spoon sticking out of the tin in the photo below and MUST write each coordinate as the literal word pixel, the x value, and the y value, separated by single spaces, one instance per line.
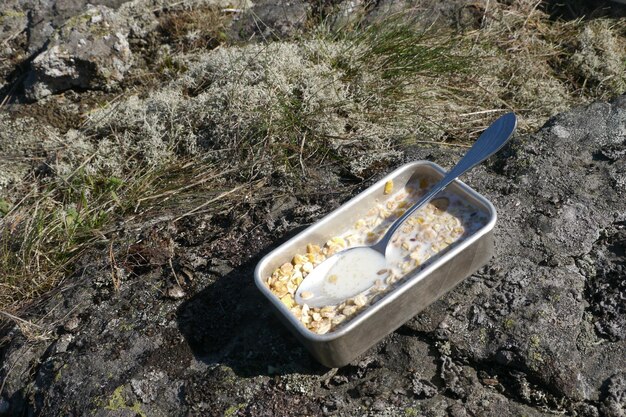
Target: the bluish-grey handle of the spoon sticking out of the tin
pixel 489 142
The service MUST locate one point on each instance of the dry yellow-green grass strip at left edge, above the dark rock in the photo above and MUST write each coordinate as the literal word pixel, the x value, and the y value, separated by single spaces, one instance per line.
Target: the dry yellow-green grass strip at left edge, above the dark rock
pixel 44 234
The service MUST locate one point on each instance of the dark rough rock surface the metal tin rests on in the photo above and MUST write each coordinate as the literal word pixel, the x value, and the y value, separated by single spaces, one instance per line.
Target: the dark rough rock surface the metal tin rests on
pixel 541 329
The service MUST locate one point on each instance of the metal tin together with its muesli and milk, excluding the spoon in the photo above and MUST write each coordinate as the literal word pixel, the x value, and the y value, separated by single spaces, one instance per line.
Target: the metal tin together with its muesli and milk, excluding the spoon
pixel 437 247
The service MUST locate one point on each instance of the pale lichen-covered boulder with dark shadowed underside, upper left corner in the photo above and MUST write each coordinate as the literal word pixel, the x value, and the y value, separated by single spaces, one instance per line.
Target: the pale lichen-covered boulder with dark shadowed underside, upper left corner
pixel 89 51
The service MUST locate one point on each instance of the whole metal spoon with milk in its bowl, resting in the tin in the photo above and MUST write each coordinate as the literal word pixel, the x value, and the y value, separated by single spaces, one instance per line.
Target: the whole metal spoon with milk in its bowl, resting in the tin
pixel 354 270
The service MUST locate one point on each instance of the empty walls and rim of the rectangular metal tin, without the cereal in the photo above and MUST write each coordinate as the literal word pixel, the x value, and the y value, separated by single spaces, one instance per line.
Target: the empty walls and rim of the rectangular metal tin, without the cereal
pixel 441 273
